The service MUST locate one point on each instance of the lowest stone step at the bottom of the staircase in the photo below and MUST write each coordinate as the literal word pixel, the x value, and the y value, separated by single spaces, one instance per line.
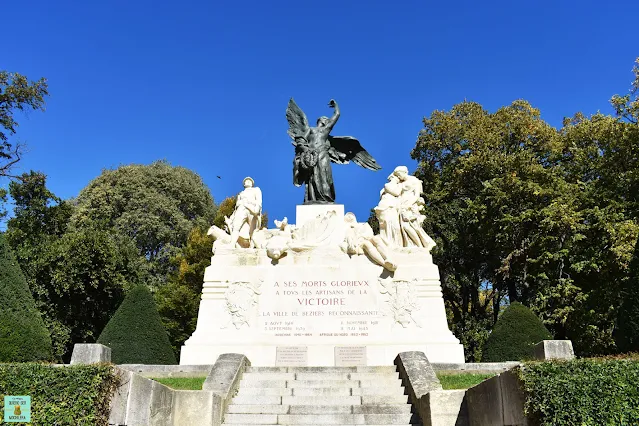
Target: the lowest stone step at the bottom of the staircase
pixel 332 419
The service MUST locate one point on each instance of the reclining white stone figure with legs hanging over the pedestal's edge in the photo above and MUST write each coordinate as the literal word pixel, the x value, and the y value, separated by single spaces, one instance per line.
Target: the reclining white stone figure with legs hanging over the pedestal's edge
pixel 360 240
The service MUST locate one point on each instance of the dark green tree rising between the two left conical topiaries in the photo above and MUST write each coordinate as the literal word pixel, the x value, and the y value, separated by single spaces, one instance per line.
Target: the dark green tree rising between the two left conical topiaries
pixel 77 276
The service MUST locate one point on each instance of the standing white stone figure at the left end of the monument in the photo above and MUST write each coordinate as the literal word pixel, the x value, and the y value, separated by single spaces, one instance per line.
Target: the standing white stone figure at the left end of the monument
pixel 244 221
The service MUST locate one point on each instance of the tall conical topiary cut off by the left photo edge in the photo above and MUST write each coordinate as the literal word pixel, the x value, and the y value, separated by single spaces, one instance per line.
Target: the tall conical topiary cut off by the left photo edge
pixel 23 335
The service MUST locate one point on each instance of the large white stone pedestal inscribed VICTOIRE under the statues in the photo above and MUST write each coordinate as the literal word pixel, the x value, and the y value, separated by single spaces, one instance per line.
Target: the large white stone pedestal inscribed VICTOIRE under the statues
pixel 317 302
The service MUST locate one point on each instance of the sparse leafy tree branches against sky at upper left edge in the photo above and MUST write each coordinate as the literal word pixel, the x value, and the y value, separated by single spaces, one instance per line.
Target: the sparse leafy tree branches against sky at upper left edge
pixel 16 94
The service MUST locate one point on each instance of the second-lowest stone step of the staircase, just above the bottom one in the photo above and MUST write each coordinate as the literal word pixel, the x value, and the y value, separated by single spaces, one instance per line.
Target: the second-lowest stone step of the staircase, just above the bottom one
pixel 319 409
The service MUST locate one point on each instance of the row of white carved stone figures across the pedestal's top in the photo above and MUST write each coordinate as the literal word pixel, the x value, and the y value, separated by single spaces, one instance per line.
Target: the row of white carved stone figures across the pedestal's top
pixel 399 213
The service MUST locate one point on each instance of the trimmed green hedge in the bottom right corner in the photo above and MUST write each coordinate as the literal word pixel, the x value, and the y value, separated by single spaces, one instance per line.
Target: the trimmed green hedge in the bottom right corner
pixel 582 392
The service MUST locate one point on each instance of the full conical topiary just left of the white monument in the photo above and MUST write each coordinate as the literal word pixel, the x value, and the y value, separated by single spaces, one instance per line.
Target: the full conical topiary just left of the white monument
pixel 135 333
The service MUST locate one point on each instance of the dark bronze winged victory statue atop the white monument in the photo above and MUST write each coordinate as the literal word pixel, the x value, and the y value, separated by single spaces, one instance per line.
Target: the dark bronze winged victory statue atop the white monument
pixel 315 149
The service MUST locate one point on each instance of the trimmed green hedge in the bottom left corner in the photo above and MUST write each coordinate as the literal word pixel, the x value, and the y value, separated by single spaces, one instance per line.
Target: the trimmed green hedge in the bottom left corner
pixel 76 395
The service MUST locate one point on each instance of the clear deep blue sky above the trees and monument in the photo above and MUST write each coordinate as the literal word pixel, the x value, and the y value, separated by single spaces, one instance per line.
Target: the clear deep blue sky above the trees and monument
pixel 205 84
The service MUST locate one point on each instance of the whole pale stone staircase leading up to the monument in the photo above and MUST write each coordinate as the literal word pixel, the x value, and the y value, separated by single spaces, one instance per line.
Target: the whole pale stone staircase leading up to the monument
pixel 320 396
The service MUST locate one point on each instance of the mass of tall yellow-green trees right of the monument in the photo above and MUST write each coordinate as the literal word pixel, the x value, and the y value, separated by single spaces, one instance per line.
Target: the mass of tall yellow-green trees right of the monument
pixel 522 211
